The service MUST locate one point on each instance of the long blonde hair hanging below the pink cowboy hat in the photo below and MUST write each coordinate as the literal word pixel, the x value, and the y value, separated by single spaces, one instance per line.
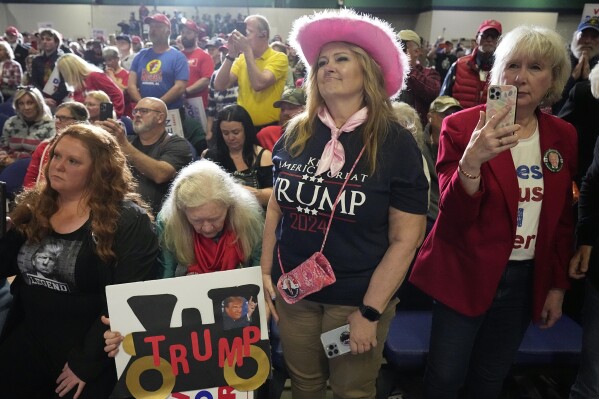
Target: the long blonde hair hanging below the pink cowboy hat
pixel 375 98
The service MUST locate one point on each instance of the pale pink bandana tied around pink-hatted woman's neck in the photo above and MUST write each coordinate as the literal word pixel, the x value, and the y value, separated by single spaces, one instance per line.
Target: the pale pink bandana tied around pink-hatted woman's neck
pixel 333 155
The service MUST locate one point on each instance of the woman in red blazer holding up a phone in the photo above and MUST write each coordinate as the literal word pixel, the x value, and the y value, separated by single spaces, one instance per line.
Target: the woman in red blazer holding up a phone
pixel 497 256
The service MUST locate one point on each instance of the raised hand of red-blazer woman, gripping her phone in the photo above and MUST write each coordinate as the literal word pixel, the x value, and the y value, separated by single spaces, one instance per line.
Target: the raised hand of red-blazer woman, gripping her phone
pixel 488 141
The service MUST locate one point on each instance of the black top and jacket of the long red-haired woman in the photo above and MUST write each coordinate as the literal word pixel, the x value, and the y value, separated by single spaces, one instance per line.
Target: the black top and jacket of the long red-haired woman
pixel 57 314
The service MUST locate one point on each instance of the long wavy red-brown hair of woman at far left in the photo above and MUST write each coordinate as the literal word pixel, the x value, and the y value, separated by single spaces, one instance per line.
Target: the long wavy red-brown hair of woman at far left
pixel 109 184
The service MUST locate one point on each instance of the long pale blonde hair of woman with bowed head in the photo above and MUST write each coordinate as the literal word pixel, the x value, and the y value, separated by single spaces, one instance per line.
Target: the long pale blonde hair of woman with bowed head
pixel 198 184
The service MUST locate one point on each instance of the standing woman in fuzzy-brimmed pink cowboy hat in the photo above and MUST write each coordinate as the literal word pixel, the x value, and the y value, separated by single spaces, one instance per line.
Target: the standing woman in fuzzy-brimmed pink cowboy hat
pixel 348 147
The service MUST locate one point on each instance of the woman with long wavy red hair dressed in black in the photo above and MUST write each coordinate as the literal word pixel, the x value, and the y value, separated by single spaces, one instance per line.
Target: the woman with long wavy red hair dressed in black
pixel 101 234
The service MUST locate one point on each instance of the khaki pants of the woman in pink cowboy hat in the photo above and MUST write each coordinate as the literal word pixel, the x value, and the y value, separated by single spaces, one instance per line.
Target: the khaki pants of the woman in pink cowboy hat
pixel 350 376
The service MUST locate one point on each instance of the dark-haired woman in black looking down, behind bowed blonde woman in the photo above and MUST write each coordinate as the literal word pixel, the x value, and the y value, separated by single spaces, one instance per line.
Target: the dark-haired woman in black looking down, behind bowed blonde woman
pixel 237 151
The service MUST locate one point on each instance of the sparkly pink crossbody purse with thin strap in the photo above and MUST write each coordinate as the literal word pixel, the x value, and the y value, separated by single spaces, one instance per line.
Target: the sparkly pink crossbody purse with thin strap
pixel 316 272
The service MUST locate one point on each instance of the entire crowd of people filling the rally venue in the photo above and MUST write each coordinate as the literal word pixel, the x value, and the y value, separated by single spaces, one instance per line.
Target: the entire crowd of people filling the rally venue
pixel 353 146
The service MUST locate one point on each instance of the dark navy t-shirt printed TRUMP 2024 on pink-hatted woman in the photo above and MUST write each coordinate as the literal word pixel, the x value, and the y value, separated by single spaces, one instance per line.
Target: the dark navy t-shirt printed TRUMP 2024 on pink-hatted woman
pixel 358 237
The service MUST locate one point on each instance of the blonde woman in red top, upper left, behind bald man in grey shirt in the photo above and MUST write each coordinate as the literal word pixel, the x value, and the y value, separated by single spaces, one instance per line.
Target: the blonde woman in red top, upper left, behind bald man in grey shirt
pixel 84 77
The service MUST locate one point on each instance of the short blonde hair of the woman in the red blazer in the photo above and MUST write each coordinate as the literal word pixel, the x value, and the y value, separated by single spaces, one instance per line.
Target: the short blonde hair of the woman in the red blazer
pixel 538 43
